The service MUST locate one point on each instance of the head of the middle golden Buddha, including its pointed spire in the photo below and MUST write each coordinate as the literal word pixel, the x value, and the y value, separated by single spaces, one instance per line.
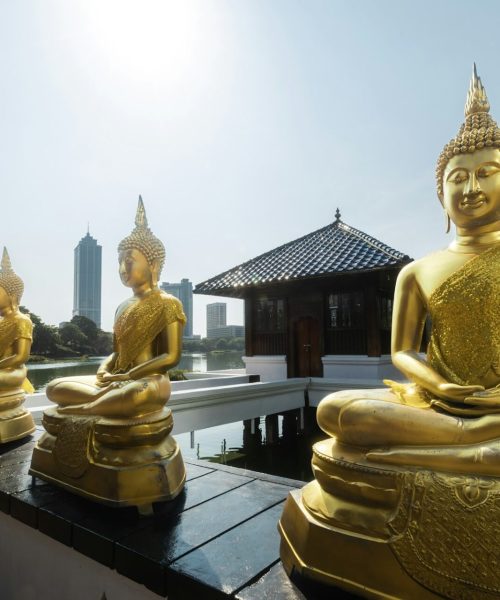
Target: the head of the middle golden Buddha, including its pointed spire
pixel 141 254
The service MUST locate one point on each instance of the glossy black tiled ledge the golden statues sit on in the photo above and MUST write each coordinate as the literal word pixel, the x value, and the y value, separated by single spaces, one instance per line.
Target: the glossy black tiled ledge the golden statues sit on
pixel 218 539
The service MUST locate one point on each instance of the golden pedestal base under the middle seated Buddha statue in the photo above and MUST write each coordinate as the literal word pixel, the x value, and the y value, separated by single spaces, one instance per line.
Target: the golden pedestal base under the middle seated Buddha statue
pixel 118 462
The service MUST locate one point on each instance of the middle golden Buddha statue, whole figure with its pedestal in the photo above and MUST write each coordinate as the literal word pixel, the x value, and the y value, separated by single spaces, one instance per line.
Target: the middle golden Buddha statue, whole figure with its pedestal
pixel 109 436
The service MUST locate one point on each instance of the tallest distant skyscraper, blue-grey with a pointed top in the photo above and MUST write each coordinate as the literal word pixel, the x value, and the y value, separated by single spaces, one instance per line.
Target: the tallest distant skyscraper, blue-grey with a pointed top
pixel 87 285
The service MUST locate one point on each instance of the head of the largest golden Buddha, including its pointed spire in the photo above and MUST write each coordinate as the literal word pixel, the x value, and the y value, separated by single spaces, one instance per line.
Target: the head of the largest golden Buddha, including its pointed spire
pixel 466 166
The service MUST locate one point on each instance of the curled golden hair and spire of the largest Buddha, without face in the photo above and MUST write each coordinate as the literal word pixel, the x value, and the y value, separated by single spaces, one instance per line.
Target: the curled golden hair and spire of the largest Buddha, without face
pixel 478 131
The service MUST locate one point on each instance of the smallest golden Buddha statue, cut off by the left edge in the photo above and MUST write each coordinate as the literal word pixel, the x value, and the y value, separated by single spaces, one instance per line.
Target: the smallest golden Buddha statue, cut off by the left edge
pixel 16 332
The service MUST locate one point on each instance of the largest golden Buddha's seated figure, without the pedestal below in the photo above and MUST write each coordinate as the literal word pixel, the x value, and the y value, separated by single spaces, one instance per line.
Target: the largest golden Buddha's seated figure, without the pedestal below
pixel 454 395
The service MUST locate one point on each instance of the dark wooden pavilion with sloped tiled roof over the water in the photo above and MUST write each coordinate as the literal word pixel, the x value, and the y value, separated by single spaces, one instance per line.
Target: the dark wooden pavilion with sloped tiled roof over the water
pixel 318 303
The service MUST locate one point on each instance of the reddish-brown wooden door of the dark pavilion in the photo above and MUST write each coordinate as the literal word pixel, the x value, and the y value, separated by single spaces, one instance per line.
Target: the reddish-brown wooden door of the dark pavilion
pixel 307 348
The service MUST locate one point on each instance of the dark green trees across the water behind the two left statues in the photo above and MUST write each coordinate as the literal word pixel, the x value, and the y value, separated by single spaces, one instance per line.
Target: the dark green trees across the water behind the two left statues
pixel 78 337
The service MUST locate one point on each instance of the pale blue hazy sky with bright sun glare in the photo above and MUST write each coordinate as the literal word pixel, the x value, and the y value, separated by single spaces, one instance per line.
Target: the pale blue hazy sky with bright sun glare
pixel 243 124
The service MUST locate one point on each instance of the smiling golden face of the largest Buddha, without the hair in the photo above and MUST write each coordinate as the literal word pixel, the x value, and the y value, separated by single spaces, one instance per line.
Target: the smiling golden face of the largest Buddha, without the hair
pixel 471 185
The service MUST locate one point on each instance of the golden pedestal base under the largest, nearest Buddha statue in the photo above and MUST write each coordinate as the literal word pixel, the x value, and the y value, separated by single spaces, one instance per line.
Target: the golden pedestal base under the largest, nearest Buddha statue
pixel 384 532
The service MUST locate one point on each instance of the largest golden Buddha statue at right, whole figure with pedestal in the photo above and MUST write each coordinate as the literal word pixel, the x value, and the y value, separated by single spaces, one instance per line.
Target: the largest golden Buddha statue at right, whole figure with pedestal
pixel 406 495
